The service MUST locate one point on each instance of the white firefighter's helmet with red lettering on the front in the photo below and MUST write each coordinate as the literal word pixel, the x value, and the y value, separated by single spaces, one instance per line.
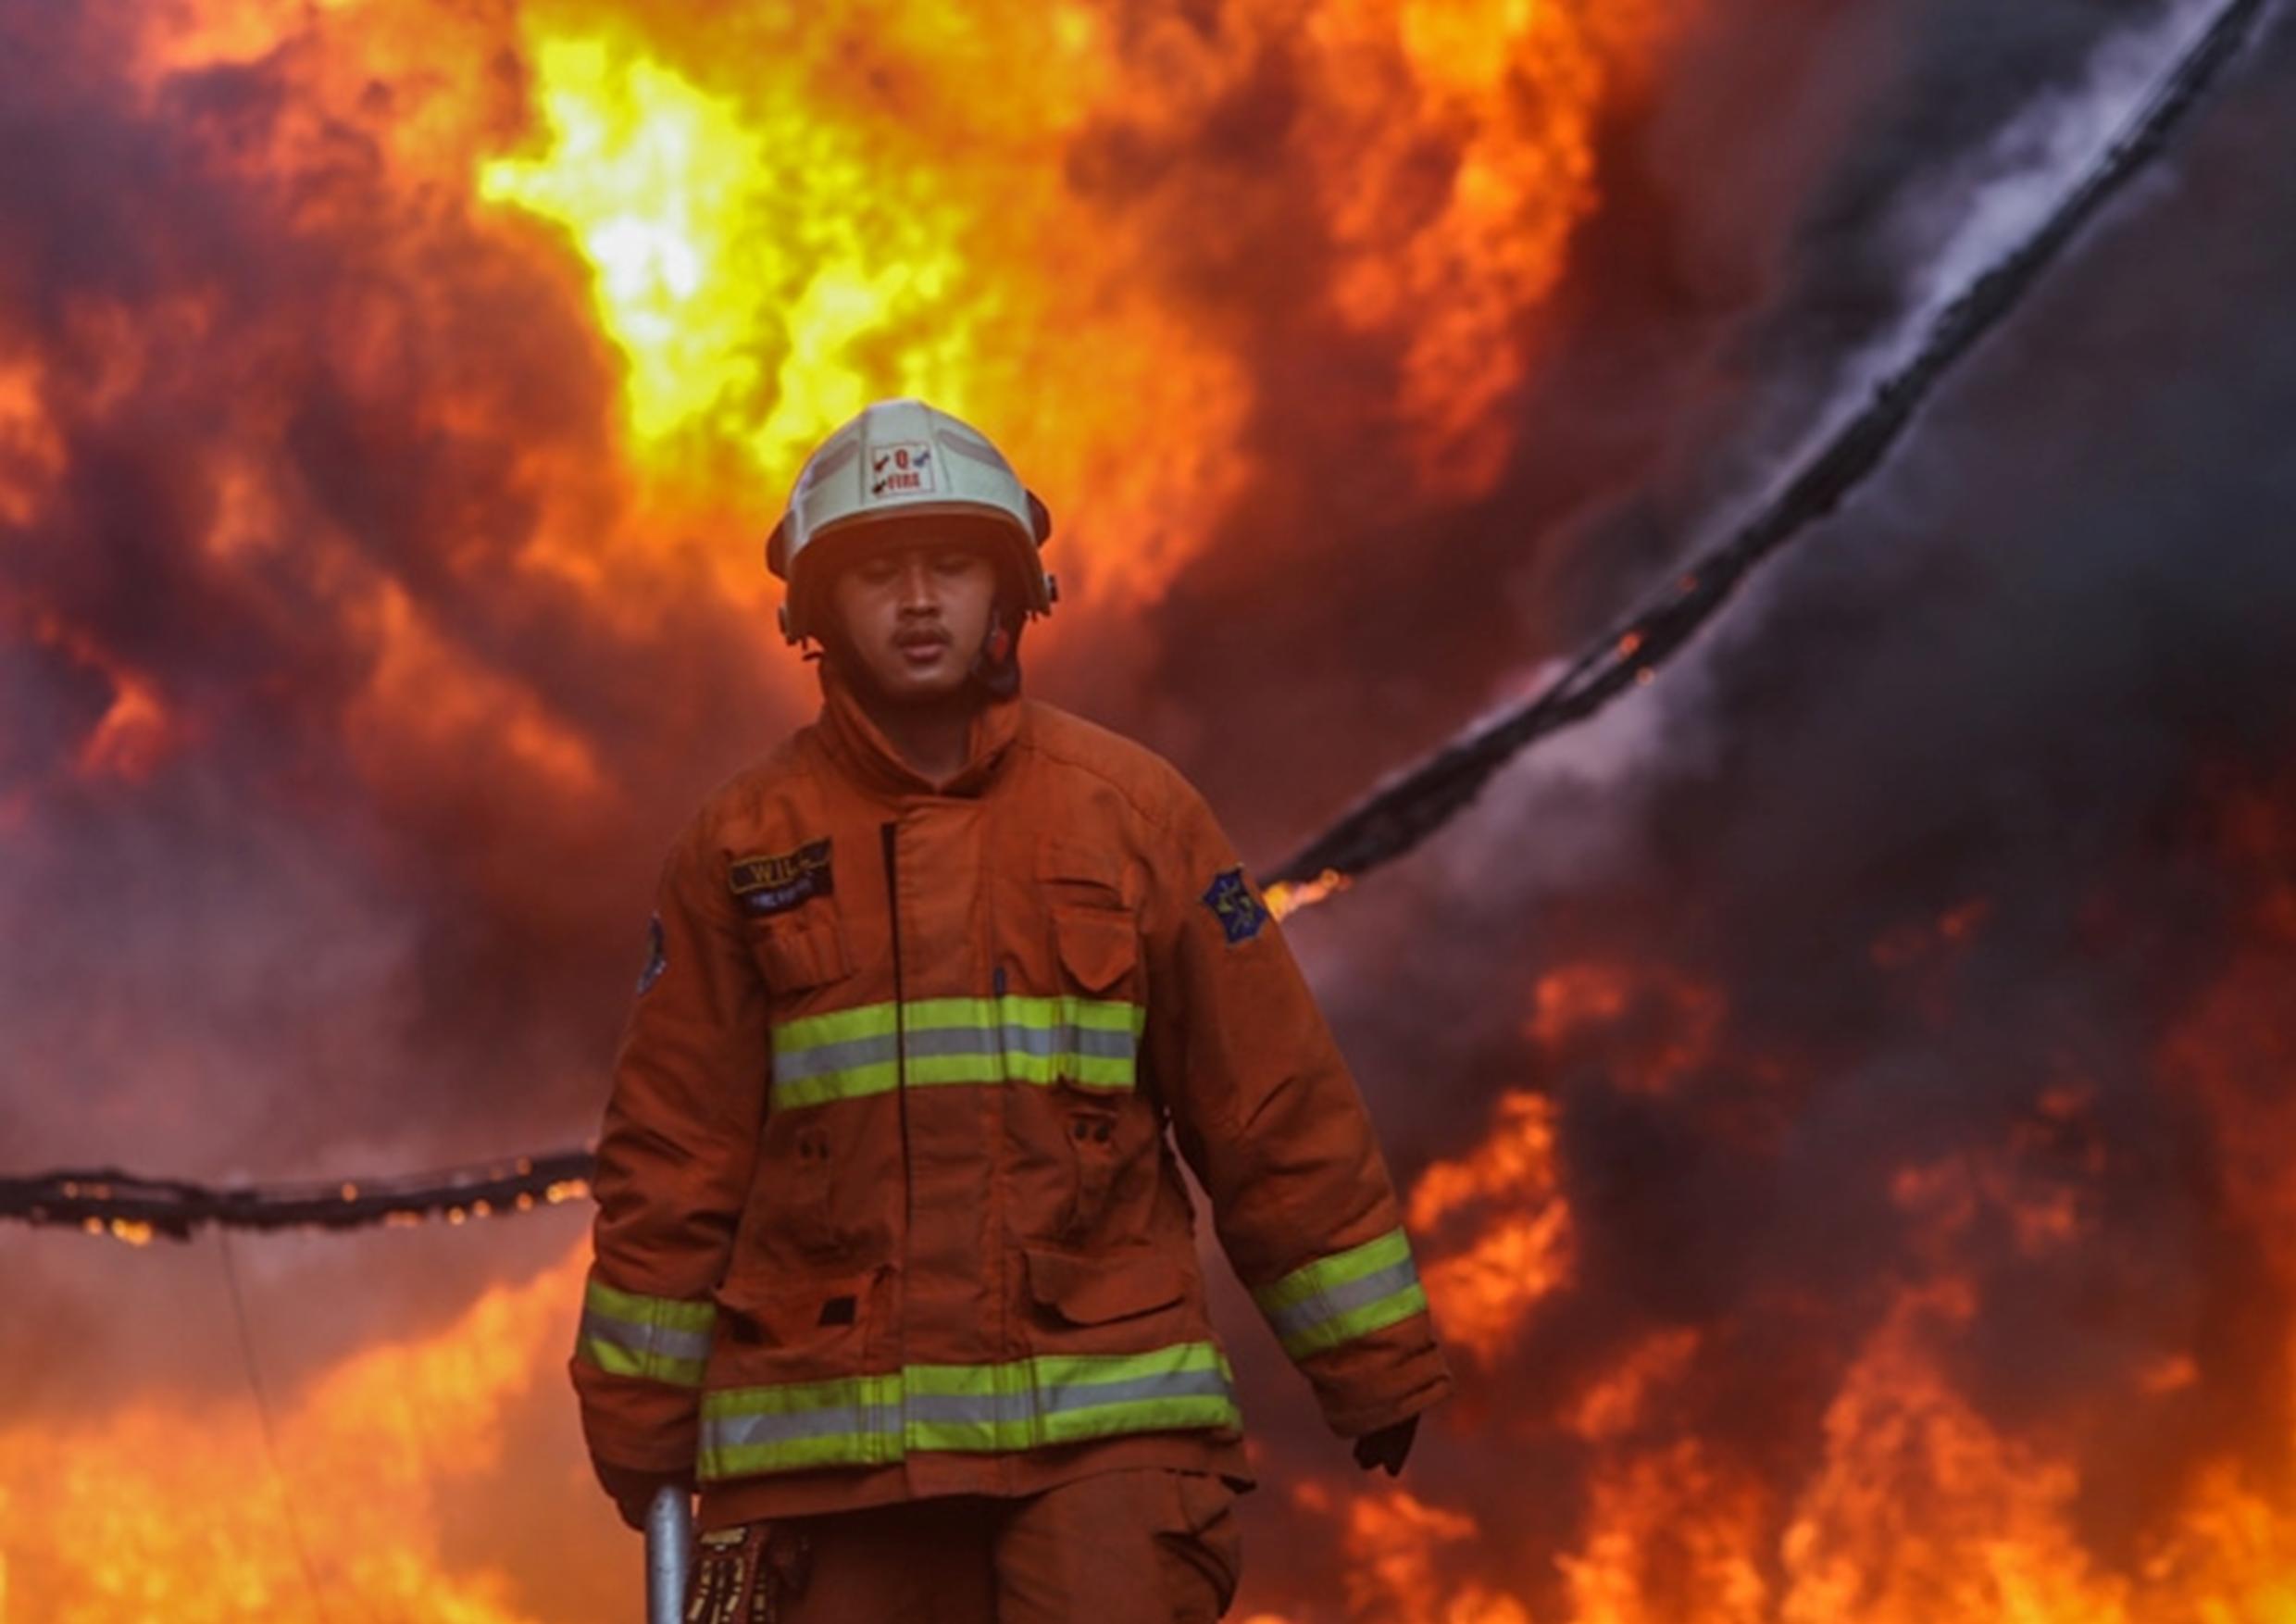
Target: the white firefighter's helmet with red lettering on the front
pixel 906 461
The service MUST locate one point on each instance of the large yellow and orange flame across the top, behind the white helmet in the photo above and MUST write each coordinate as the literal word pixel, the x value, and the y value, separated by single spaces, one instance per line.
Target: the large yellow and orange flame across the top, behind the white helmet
pixel 782 219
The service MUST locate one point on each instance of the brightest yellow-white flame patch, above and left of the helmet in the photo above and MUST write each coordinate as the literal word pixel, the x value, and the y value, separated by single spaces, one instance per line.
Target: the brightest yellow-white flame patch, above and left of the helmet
pixel 738 268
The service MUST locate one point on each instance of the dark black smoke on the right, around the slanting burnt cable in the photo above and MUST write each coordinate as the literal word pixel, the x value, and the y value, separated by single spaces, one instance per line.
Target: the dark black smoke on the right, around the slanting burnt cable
pixel 2022 679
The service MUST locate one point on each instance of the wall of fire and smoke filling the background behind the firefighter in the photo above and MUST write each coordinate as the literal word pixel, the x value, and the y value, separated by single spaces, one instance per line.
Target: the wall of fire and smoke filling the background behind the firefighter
pixel 1845 1090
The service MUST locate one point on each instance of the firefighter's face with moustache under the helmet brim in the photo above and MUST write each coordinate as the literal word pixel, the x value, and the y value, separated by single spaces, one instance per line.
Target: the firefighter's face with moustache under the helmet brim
pixel 915 612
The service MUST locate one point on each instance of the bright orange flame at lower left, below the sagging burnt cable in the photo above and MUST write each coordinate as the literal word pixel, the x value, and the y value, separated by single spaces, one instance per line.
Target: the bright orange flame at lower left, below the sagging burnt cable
pixel 194 1508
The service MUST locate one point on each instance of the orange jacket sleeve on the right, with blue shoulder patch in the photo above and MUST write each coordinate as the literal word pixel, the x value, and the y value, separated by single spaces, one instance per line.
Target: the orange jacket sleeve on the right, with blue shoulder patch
pixel 1273 1124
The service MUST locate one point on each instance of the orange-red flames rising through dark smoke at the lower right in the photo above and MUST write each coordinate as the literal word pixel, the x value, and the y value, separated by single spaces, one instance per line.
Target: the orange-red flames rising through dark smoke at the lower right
pixel 1907 1503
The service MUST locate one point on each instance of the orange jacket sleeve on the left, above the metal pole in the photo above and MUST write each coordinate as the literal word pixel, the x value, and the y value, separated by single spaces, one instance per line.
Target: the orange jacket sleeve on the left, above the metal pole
pixel 674 1168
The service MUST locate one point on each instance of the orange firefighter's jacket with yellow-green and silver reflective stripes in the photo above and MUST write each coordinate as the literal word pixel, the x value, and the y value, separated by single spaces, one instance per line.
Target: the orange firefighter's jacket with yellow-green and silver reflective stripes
pixel 887 1198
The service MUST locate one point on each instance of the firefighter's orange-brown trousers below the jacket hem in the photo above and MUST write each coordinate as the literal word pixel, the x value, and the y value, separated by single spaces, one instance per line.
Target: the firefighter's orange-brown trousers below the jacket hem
pixel 1128 1547
